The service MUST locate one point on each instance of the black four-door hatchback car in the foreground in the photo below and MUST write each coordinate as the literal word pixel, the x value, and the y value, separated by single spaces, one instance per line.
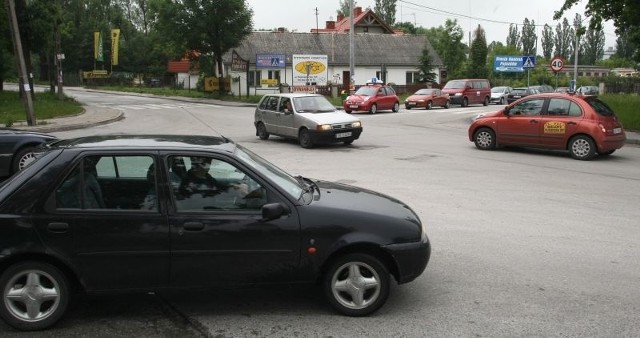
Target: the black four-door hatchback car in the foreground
pixel 148 213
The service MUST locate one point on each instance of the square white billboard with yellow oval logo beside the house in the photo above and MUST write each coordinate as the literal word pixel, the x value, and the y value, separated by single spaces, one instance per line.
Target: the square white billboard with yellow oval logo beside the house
pixel 312 70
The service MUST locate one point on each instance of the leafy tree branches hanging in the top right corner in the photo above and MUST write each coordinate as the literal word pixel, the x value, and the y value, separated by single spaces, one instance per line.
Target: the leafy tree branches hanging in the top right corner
pixel 625 15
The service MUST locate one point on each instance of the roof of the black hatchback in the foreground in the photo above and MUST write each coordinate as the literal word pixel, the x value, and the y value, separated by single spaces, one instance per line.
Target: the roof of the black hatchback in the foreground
pixel 158 142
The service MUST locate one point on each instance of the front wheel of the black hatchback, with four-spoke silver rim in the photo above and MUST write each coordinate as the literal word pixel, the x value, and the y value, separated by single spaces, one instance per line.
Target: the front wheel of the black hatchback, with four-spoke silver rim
pixel 356 284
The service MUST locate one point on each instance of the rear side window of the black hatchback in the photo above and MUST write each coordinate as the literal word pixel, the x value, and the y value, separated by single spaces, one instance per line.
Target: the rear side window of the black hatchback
pixel 118 182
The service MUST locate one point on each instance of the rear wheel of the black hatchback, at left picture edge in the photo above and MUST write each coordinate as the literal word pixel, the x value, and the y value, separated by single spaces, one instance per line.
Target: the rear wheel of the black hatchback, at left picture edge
pixel 35 287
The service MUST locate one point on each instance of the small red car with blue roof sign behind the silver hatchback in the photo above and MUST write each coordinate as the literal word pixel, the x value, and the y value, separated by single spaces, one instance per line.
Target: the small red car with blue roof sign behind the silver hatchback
pixel 372 98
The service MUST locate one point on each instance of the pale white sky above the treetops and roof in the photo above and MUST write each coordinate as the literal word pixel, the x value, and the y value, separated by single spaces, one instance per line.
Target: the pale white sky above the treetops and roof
pixel 493 15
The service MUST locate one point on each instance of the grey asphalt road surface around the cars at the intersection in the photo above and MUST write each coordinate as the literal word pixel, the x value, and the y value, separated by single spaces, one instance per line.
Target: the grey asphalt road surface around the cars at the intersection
pixel 525 243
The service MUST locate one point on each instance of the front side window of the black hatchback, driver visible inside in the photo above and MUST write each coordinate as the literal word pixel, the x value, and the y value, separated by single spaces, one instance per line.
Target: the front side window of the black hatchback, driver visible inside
pixel 214 184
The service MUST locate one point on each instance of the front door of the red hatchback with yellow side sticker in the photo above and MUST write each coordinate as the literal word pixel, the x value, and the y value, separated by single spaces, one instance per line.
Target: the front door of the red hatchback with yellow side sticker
pixel 521 126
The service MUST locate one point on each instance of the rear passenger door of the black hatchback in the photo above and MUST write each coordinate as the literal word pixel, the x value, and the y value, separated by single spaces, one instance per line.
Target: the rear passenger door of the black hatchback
pixel 120 237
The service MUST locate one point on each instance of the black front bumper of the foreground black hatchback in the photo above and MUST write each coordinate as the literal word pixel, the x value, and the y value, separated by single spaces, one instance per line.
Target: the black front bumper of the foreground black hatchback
pixel 411 258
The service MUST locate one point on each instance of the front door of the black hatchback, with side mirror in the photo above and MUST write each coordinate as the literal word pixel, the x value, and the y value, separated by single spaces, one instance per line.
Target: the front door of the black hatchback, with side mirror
pixel 218 237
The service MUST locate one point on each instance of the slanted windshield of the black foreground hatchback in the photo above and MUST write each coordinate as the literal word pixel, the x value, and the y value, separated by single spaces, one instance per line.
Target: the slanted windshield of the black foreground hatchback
pixel 285 181
